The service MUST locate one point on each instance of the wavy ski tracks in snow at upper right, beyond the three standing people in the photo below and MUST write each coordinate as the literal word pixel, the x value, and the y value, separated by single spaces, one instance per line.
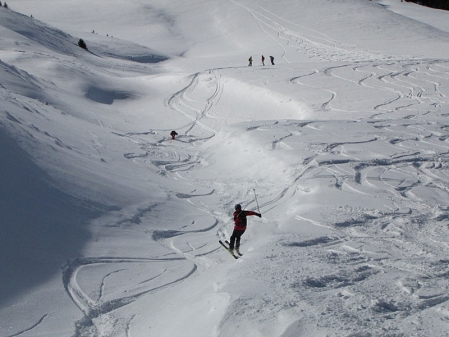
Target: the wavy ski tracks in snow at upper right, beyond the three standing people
pixel 406 87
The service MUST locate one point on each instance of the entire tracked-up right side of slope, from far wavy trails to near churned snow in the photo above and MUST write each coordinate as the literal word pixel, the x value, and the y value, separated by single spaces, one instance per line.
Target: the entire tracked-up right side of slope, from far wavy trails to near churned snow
pixel 414 229
